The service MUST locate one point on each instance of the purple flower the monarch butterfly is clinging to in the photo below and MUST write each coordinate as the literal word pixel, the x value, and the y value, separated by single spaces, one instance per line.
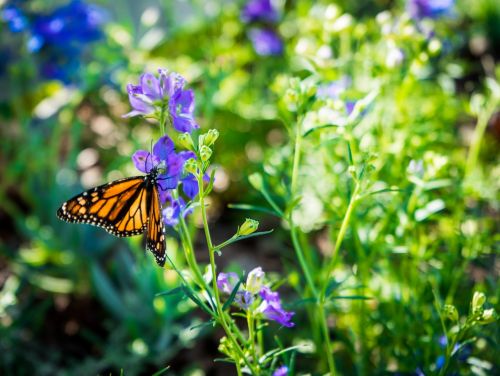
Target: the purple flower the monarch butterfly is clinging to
pixel 163 153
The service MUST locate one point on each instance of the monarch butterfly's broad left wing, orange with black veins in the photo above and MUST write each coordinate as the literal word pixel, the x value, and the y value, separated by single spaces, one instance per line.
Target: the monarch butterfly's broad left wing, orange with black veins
pixel 119 207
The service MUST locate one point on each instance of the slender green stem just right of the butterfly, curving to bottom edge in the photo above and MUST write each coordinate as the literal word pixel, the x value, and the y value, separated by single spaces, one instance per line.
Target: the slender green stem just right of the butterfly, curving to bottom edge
pixel 211 252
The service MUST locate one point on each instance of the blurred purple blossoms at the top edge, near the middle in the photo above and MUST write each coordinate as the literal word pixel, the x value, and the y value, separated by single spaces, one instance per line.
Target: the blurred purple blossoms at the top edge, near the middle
pixel 265 40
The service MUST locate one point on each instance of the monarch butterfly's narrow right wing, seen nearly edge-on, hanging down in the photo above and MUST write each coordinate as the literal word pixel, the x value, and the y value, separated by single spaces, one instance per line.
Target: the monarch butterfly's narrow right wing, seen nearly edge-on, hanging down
pixel 155 237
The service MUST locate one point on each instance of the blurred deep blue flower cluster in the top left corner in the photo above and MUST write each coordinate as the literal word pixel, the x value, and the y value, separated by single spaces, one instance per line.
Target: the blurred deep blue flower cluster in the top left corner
pixel 58 37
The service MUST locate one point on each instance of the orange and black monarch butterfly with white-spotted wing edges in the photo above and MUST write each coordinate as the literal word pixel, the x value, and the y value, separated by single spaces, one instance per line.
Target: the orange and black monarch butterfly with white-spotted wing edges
pixel 124 207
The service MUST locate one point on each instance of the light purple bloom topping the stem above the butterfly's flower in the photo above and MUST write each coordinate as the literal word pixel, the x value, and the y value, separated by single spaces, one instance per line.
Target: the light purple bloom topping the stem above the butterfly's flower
pixel 154 95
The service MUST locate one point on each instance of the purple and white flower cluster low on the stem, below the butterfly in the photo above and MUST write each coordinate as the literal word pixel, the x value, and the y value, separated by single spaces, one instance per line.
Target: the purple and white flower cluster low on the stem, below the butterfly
pixel 256 296
